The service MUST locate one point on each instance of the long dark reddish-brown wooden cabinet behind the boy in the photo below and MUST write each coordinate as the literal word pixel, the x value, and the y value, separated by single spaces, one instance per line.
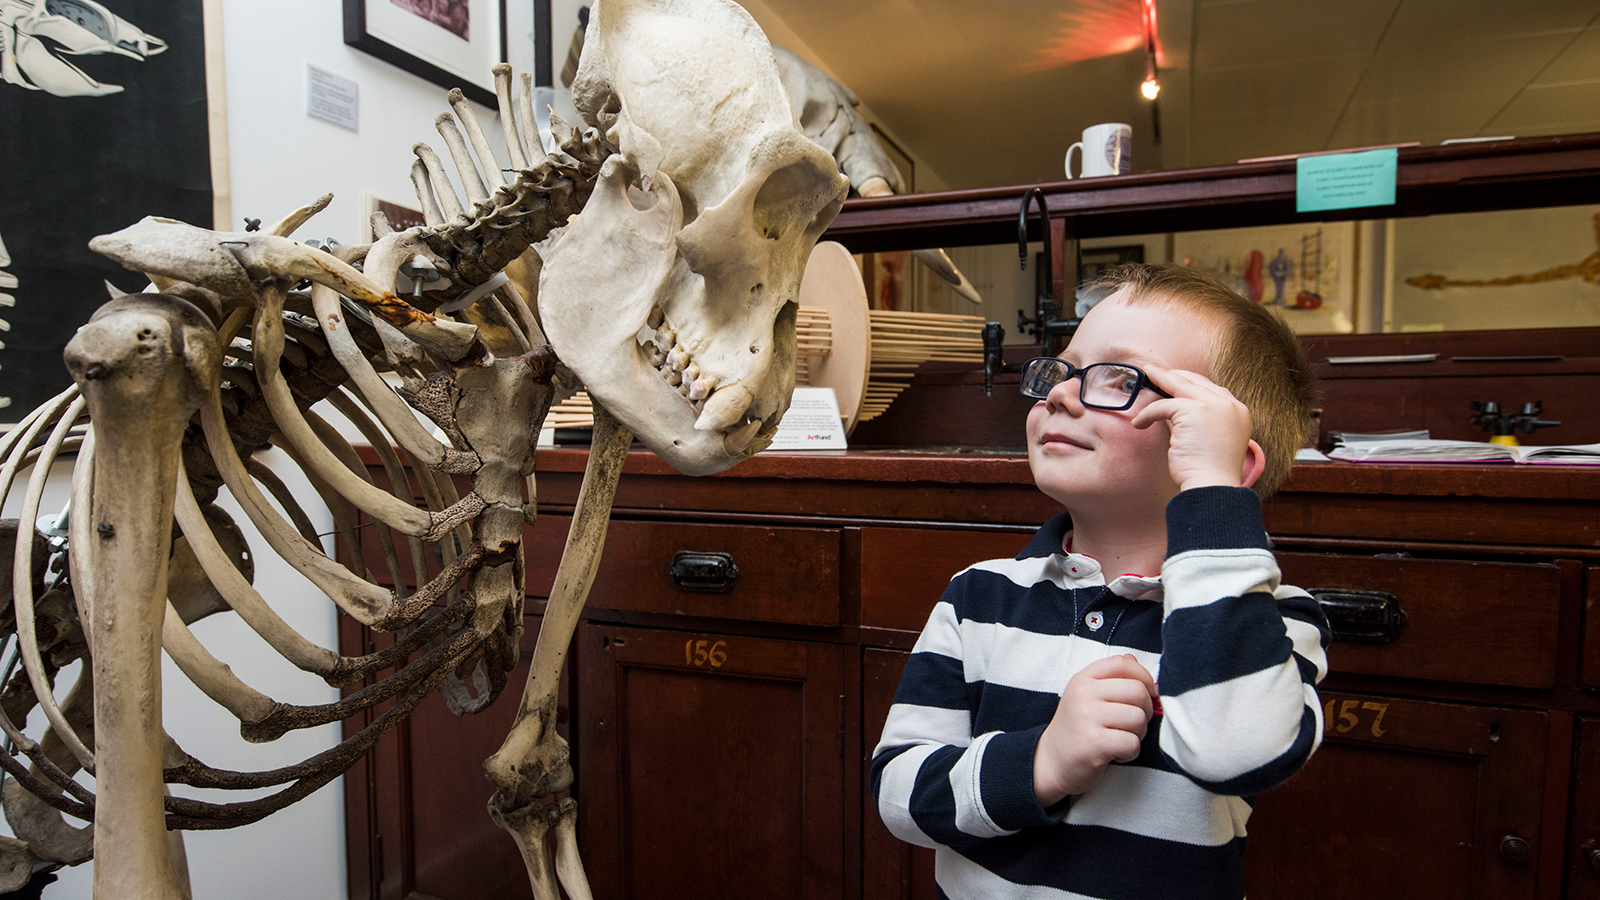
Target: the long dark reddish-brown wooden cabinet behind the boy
pixel 724 731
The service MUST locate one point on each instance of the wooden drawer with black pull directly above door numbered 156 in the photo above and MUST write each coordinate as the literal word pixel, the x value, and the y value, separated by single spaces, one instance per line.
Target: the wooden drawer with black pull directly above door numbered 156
pixel 783 576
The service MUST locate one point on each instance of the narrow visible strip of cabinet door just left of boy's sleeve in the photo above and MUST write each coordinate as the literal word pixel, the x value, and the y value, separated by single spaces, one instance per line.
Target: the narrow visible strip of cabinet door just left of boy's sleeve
pixel 890 869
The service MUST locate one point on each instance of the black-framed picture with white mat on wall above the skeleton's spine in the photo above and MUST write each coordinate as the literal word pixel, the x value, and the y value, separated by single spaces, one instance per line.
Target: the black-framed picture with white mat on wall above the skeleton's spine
pixel 454 44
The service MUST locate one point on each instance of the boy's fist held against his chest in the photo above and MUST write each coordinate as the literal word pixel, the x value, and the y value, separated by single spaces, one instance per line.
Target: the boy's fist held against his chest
pixel 1102 718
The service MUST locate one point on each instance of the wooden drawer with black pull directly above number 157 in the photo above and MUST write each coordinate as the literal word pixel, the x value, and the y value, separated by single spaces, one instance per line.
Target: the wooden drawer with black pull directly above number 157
pixel 1466 622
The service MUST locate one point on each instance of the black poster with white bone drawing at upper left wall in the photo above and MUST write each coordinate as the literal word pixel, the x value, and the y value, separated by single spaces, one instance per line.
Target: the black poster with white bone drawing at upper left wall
pixel 156 89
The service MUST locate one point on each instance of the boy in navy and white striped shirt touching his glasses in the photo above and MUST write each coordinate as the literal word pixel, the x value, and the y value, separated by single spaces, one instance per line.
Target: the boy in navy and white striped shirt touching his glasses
pixel 1030 744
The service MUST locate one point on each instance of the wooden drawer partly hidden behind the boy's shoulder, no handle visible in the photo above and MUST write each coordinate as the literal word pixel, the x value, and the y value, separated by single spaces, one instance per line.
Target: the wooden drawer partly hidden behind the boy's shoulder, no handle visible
pixel 905 571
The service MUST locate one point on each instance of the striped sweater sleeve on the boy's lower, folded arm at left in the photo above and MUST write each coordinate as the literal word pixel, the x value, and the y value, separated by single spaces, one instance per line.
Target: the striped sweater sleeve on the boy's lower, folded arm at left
pixel 937 784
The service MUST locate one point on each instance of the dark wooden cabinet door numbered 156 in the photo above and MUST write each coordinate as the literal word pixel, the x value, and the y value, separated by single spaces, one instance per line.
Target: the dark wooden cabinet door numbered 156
pixel 713 766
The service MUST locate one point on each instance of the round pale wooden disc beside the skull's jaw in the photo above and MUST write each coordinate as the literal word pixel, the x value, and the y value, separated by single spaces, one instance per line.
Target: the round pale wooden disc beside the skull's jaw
pixel 833 283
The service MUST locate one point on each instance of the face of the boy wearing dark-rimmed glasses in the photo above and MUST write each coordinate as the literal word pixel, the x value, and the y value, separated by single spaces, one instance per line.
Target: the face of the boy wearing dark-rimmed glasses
pixel 1094 460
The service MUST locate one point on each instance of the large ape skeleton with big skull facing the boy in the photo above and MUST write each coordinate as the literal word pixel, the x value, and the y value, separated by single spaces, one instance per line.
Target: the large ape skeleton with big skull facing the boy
pixel 654 259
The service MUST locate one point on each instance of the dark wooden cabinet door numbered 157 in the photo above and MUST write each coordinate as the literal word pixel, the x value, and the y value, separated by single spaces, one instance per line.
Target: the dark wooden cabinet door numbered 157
pixel 1406 798
